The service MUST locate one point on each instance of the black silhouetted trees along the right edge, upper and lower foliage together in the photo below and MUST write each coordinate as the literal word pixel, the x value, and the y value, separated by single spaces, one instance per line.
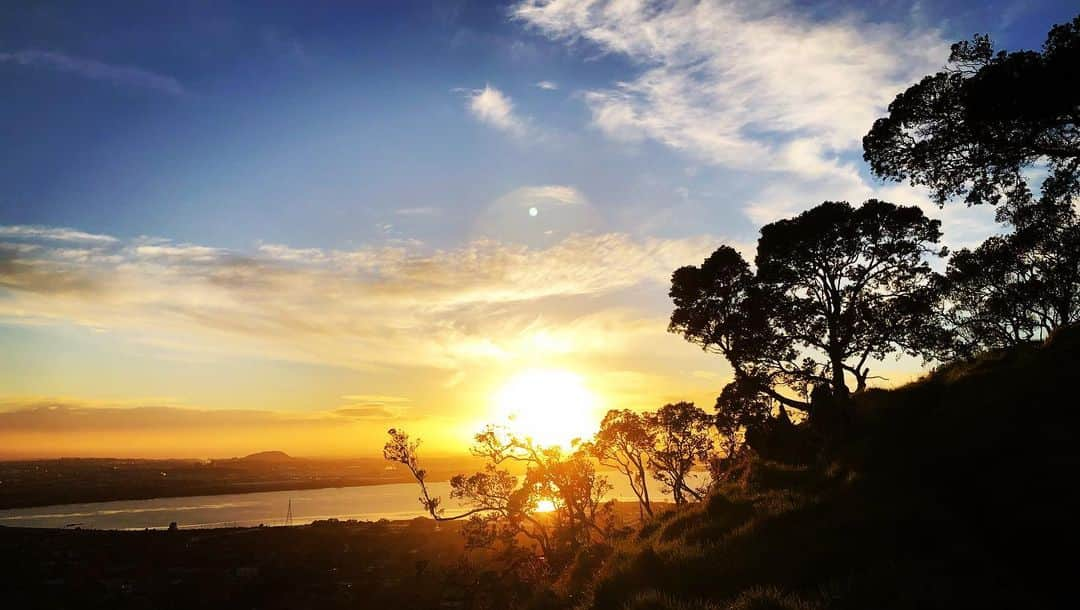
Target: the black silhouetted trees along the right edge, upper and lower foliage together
pixel 970 132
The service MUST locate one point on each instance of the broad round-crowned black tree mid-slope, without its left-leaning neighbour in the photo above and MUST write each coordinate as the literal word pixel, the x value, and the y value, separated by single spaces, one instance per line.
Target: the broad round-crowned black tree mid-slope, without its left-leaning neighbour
pixel 854 283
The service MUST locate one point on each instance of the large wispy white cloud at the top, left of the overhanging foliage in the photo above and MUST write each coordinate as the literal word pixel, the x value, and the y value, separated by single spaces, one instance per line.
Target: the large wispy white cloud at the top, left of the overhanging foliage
pixel 738 84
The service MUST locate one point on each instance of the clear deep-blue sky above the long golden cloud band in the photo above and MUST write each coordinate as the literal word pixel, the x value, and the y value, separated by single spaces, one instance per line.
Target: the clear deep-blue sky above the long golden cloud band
pixel 313 126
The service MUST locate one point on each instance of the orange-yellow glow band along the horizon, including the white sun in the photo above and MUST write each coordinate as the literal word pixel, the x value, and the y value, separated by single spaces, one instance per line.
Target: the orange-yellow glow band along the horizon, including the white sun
pixel 550 404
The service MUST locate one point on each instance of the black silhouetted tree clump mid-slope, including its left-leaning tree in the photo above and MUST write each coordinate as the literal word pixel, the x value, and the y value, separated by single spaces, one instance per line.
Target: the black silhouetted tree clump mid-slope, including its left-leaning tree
pixel 835 289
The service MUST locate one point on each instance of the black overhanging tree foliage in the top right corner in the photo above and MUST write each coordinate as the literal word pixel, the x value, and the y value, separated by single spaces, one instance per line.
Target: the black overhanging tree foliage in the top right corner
pixel 970 130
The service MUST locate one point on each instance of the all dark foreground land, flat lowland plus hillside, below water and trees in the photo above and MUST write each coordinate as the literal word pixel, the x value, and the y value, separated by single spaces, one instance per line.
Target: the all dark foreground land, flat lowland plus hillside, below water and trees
pixel 953 492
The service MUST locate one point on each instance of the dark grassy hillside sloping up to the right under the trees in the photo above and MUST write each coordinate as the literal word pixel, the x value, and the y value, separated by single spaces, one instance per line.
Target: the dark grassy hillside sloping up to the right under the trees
pixel 954 492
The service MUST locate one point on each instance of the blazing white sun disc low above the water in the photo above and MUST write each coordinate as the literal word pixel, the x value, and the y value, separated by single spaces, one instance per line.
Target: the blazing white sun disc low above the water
pixel 551 408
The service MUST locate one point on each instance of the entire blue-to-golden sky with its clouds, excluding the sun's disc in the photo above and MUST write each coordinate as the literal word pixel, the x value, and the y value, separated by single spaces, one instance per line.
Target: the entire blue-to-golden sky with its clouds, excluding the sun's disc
pixel 232 227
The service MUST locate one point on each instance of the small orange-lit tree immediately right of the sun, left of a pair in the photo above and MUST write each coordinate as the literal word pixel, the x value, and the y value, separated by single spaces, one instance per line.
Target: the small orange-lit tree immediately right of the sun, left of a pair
pixel 624 443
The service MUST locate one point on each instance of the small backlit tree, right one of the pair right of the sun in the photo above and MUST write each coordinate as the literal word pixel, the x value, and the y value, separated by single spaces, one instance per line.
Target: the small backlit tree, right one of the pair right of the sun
pixel 683 440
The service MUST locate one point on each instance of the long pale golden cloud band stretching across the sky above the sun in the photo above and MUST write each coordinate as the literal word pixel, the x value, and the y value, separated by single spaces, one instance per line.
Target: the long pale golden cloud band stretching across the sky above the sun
pixel 397 306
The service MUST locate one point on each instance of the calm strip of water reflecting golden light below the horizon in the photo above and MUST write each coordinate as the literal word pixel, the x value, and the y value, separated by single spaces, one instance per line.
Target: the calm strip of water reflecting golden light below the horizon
pixel 398 501
